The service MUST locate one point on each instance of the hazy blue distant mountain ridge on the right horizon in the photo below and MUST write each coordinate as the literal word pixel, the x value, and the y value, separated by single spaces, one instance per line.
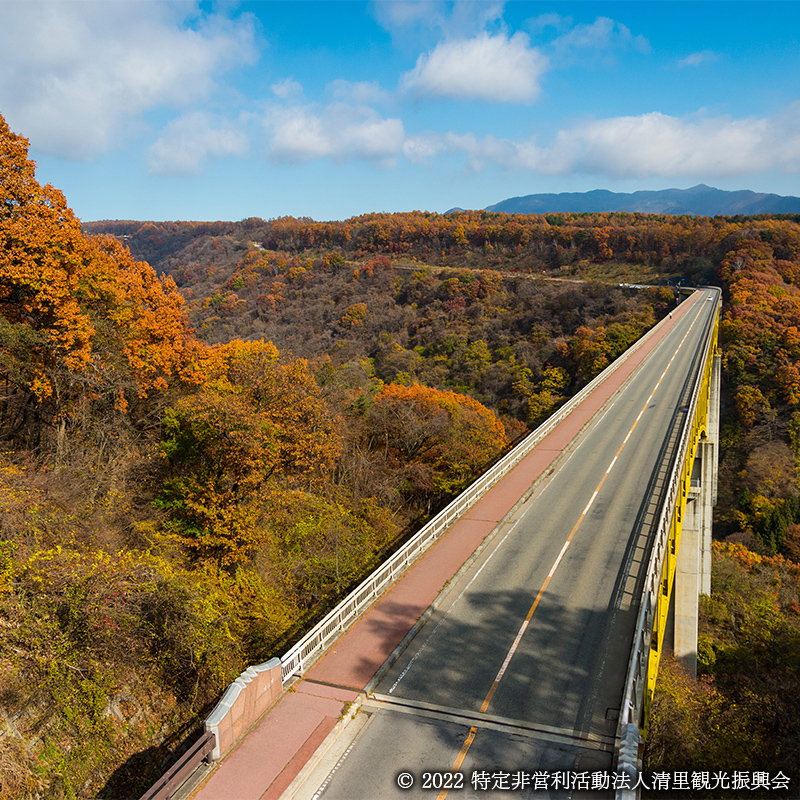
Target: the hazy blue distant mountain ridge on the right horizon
pixel 699 200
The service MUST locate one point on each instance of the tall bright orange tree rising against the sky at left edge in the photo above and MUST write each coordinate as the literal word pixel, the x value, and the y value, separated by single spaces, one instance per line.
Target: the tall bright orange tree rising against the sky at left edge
pixel 80 320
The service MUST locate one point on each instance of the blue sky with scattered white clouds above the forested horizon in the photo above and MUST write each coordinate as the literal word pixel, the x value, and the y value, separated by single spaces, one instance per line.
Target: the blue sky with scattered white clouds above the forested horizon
pixel 225 110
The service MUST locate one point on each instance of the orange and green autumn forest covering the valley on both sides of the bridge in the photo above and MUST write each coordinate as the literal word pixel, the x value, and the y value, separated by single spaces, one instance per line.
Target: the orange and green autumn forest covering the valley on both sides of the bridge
pixel 212 430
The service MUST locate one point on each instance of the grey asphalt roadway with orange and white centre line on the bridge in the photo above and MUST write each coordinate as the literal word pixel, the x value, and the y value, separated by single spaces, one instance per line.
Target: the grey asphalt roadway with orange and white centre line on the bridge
pixel 522 665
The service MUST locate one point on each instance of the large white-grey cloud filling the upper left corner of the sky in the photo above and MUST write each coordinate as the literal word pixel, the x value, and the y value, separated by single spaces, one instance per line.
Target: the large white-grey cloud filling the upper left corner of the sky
pixel 75 77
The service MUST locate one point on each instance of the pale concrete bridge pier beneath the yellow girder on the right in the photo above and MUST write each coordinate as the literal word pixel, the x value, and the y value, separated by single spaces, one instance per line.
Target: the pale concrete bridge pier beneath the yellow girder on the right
pixel 693 566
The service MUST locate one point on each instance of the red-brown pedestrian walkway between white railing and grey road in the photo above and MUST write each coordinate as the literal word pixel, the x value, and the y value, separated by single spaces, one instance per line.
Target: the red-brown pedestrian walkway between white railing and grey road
pixel 264 764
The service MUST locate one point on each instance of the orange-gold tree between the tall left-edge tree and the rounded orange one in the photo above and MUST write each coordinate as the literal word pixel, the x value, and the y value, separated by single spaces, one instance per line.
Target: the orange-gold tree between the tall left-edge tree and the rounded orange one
pixel 255 426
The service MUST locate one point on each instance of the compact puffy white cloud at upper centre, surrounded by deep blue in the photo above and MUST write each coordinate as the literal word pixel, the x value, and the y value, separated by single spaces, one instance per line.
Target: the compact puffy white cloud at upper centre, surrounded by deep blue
pixel 492 68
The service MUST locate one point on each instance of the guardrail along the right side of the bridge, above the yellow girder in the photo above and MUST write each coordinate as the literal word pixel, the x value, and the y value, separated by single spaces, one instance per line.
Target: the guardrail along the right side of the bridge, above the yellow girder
pixel 636 679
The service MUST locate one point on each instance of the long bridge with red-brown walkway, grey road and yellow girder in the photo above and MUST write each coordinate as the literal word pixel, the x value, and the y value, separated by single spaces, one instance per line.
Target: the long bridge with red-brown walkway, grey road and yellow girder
pixel 527 637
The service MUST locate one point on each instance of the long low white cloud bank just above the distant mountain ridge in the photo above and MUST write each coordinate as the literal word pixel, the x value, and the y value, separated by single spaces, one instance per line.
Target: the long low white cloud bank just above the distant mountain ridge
pixel 649 145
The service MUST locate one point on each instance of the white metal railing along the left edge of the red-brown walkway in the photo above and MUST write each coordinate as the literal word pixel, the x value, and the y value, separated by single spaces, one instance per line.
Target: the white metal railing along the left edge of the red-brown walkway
pixel 302 655
